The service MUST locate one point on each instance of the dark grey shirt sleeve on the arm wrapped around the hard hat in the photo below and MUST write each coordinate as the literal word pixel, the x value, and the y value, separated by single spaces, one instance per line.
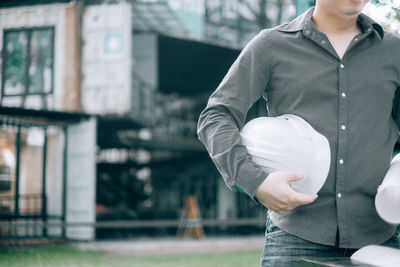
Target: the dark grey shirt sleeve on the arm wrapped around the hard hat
pixel 220 122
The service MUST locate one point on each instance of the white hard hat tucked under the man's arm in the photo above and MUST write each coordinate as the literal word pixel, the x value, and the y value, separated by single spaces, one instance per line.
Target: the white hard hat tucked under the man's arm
pixel 289 143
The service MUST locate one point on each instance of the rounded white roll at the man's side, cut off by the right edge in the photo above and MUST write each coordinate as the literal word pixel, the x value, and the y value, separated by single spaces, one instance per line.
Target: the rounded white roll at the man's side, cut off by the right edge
pixel 387 200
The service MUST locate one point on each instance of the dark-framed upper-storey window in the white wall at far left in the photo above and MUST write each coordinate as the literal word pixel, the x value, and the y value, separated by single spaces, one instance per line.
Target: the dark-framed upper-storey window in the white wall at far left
pixel 27 67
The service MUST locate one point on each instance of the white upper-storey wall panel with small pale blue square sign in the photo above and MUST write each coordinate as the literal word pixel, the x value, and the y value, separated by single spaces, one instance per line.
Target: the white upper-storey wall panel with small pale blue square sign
pixel 107 60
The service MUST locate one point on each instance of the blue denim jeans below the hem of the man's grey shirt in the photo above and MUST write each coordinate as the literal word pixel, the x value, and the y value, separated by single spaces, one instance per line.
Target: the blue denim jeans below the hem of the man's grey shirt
pixel 283 249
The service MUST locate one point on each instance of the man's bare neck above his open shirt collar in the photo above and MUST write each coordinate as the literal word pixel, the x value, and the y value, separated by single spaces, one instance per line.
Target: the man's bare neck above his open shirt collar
pixel 329 22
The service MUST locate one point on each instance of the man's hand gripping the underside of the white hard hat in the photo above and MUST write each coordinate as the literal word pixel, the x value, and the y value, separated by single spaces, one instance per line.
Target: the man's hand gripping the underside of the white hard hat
pixel 276 194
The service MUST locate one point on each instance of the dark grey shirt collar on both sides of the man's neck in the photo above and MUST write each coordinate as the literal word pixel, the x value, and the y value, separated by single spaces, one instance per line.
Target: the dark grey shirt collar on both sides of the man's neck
pixel 304 22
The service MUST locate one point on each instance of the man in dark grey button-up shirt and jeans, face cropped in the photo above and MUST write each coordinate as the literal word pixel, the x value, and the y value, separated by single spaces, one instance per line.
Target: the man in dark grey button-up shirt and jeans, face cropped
pixel 337 69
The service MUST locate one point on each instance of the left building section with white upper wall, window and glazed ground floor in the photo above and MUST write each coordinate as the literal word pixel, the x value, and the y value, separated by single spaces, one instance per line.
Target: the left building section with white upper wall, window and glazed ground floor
pixel 52 176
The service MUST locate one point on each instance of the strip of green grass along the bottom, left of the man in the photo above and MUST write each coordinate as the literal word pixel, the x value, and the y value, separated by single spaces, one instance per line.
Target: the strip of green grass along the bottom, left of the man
pixel 67 255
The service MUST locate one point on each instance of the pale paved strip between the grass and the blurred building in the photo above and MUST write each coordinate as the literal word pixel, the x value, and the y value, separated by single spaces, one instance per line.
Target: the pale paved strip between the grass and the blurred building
pixel 169 246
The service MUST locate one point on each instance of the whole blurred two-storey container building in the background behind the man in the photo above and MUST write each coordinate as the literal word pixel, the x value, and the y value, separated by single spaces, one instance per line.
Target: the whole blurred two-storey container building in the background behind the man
pixel 143 70
